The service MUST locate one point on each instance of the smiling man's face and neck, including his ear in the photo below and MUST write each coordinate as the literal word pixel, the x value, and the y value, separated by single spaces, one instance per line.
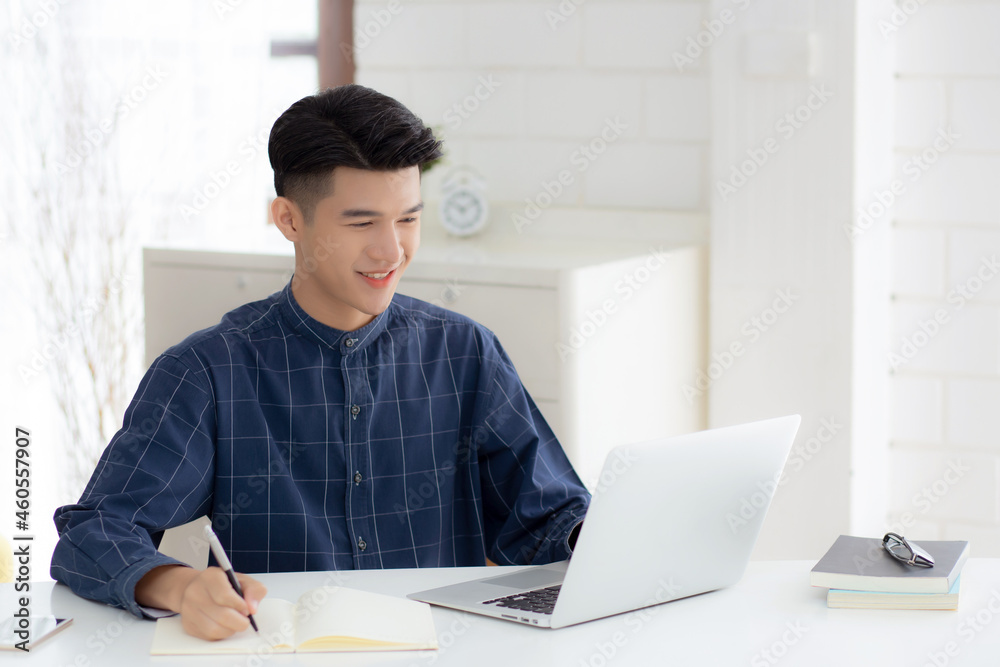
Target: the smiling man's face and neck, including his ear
pixel 361 239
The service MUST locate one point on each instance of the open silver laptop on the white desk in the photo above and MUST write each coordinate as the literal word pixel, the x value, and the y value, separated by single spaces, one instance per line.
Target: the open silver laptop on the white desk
pixel 670 518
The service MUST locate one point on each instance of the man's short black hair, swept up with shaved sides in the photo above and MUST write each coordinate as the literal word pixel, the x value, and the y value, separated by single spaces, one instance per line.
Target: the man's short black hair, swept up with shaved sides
pixel 346 126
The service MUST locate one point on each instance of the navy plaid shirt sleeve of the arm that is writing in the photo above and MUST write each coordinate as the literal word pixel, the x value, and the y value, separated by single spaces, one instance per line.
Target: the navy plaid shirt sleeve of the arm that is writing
pixel 156 473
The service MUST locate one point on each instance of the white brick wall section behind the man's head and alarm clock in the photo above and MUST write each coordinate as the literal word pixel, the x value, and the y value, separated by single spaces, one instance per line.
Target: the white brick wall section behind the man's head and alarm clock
pixel 558 80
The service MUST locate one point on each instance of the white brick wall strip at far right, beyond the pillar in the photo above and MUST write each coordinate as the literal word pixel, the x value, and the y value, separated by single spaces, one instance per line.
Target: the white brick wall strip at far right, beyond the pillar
pixel 946 399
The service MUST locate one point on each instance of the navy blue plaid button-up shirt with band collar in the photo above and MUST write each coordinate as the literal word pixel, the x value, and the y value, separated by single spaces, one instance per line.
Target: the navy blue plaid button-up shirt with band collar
pixel 410 442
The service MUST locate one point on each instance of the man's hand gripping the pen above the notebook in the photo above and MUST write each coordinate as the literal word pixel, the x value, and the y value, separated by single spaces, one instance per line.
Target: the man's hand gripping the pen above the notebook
pixel 206 601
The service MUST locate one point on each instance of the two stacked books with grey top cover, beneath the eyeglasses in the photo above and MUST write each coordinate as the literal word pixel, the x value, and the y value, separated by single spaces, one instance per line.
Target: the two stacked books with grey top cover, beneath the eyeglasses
pixel 862 575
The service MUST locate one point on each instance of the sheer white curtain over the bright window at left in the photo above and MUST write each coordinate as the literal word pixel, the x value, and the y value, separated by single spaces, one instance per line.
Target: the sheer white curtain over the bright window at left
pixel 121 123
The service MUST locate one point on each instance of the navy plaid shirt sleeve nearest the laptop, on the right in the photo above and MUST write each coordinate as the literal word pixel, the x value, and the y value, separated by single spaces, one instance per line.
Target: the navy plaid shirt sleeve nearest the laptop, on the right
pixel 532 496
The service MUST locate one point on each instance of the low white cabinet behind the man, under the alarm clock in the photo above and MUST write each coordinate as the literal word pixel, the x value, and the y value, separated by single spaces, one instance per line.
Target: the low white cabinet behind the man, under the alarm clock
pixel 604 338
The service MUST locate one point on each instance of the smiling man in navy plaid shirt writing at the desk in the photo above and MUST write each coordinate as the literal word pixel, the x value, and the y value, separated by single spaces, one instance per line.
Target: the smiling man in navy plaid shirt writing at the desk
pixel 333 425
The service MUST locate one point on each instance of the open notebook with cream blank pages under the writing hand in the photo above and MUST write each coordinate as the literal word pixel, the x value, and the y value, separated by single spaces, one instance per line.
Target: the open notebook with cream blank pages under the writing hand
pixel 328 618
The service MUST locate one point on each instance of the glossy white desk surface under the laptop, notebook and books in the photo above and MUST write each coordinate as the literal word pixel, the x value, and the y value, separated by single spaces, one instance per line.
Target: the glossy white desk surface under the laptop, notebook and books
pixel 728 627
